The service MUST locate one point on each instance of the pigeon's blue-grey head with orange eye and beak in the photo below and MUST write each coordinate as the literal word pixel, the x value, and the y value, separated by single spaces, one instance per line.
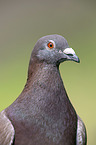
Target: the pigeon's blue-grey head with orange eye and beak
pixel 53 49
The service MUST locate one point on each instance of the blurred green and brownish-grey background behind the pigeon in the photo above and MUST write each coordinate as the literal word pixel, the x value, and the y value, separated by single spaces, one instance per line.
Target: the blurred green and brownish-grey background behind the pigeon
pixel 23 22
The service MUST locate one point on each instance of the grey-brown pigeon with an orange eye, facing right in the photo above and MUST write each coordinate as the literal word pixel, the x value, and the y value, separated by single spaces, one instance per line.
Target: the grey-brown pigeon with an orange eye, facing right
pixel 43 113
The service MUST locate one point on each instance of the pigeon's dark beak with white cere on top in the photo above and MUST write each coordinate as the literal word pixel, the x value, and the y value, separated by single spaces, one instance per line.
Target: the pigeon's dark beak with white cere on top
pixel 70 55
